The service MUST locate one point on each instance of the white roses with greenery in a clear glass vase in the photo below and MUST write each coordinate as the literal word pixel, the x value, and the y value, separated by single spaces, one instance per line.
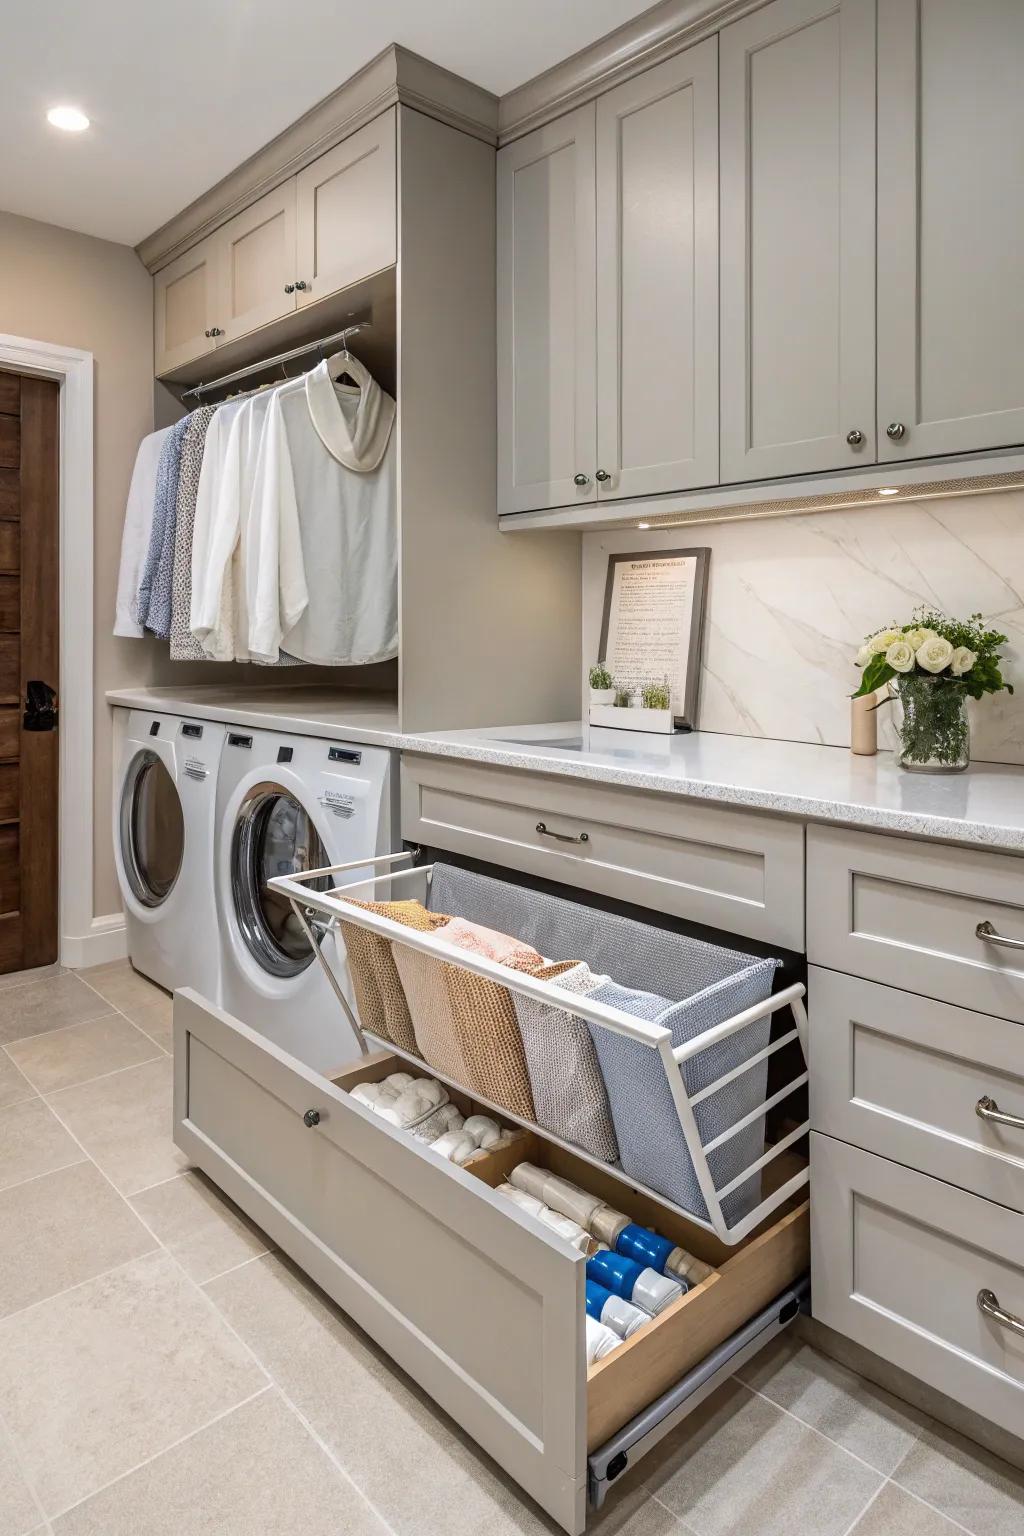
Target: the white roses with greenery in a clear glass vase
pixel 931 667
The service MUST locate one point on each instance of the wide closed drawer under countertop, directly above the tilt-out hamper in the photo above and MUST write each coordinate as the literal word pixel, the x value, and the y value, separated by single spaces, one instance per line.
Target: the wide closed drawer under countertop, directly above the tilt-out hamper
pixel 732 870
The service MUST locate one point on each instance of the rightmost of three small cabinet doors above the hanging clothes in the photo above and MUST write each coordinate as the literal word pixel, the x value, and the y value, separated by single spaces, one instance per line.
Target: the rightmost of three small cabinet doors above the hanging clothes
pixel 348 211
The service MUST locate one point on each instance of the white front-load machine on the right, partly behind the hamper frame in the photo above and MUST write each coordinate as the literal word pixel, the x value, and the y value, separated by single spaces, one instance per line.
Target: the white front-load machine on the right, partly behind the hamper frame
pixel 289 804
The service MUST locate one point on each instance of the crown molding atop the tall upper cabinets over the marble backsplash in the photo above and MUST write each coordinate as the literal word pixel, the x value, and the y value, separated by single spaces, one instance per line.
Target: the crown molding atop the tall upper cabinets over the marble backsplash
pixel 641 44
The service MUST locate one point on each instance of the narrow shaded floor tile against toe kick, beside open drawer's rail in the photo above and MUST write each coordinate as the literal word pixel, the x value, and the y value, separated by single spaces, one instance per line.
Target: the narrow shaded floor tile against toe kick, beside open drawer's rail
pixel 853 1412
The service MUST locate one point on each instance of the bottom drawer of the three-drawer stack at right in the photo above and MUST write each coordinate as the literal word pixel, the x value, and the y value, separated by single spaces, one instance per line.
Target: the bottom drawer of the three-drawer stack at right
pixel 899 1260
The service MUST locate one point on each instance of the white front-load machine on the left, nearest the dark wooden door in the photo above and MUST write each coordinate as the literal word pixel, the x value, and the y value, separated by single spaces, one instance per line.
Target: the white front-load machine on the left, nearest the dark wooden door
pixel 165 816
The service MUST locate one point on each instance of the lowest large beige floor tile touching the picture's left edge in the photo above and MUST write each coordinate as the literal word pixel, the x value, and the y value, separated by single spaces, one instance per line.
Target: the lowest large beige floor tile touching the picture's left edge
pixel 131 1363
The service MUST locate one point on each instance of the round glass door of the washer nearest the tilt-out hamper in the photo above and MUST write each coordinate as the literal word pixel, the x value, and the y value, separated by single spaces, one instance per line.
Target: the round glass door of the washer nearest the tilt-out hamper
pixel 274 835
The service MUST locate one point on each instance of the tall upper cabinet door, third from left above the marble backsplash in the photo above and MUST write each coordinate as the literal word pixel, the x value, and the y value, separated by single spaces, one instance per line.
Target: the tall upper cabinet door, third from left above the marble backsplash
pixel 799 239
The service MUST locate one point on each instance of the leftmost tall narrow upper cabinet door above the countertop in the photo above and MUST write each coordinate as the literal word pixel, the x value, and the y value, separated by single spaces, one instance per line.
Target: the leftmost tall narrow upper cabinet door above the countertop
pixel 547 317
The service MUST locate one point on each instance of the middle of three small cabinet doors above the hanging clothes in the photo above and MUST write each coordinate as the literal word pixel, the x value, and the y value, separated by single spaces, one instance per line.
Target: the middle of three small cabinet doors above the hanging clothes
pixel 256 265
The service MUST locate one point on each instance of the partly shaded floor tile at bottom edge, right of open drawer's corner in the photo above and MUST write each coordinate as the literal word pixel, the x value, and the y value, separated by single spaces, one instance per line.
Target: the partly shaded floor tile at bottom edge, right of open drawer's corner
pixel 742 1468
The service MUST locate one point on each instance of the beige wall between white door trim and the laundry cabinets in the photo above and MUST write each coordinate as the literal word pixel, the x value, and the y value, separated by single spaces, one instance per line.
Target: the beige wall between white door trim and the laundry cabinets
pixel 81 293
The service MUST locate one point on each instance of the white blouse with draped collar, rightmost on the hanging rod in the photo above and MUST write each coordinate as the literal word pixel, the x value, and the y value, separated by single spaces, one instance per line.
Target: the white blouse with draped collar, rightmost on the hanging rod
pixel 323 531
